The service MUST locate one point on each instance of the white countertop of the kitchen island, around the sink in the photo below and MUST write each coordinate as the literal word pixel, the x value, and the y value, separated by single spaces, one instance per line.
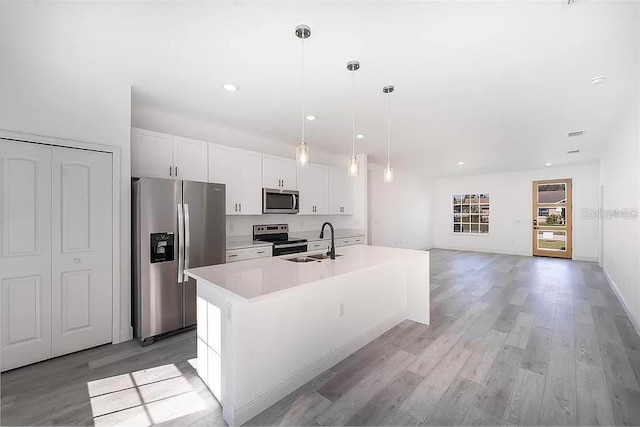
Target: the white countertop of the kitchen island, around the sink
pixel 254 279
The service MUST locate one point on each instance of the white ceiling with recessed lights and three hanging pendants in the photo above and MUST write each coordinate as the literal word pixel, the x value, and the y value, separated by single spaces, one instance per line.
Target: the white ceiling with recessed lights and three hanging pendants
pixel 494 84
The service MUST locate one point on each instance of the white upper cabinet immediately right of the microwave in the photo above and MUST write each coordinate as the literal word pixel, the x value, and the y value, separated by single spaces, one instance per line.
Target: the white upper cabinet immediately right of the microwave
pixel 313 184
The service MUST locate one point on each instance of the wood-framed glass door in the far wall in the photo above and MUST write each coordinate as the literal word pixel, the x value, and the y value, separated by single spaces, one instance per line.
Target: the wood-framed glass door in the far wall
pixel 552 228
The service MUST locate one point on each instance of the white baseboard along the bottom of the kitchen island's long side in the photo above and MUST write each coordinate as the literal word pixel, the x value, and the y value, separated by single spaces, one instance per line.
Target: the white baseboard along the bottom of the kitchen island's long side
pixel 306 374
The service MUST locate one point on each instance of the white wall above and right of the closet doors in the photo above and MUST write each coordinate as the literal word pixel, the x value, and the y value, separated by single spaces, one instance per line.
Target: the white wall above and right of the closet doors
pixel 48 88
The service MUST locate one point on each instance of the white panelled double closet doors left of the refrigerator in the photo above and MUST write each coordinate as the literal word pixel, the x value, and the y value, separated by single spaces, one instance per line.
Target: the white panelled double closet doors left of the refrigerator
pixel 56 258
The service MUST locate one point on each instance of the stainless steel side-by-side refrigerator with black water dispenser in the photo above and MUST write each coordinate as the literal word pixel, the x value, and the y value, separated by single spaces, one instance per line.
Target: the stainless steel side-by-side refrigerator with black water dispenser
pixel 175 225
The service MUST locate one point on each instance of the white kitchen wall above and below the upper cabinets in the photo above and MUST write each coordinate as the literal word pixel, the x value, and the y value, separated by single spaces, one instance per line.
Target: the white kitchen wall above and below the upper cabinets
pixel 242 225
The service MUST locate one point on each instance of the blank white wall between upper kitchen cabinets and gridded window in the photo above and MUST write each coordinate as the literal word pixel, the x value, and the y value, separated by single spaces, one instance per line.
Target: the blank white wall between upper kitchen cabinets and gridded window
pixel 399 213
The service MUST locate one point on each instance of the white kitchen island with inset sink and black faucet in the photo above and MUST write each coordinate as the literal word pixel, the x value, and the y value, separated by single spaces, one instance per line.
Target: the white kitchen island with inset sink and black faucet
pixel 267 326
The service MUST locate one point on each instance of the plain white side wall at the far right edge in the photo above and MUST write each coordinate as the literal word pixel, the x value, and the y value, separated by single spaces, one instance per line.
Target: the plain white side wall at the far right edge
pixel 620 189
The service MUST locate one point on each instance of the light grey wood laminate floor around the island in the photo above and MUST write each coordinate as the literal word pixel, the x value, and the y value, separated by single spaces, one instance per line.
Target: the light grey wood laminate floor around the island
pixel 513 341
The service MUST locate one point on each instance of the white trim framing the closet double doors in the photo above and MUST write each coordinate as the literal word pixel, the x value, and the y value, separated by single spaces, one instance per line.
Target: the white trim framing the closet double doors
pixel 116 332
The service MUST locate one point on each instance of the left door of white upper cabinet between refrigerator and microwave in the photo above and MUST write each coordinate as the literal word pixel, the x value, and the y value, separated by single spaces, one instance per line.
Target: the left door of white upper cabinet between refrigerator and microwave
pixel 224 170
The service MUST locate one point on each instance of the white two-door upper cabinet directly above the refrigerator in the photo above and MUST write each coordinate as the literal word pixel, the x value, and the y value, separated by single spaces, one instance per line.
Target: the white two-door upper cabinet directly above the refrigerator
pixel 158 155
